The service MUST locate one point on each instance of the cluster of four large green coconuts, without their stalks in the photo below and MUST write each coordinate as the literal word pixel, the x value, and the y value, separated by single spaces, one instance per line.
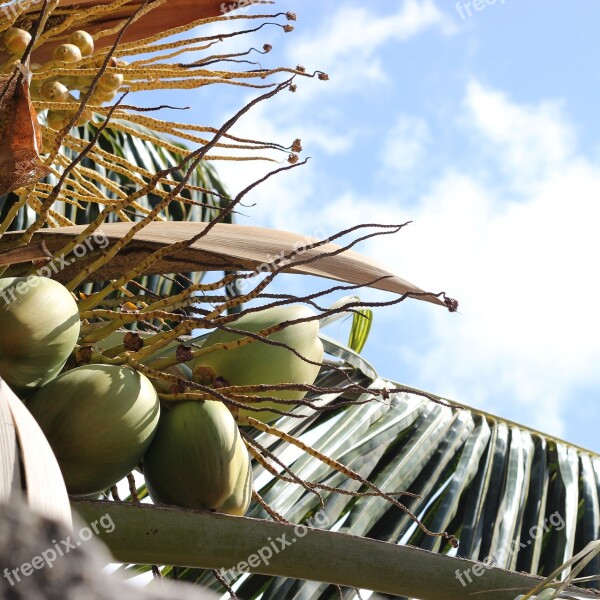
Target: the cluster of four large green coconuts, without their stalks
pixel 104 420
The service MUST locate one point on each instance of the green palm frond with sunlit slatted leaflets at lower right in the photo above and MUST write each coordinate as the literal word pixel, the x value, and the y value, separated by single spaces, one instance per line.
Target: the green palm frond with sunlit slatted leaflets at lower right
pixel 510 494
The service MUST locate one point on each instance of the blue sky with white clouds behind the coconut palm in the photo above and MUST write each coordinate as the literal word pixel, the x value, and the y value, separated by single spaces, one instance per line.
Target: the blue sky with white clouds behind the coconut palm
pixel 482 130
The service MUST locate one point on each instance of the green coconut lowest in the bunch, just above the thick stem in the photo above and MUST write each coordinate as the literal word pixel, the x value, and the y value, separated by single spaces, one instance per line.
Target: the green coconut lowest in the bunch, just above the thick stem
pixel 199 460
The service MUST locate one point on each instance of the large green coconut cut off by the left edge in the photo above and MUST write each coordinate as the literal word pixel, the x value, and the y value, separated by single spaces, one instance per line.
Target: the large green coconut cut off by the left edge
pixel 39 326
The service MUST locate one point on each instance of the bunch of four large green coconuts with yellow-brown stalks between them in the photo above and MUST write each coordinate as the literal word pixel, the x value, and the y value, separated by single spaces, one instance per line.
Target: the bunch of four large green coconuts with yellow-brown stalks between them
pixel 151 402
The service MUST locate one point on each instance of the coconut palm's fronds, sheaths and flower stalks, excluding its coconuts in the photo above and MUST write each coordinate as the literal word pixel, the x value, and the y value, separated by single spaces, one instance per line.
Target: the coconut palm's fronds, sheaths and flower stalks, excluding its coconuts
pixel 369 484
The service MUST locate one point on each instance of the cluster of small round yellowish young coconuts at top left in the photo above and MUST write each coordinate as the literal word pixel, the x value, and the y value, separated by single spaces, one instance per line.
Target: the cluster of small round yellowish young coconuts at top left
pixel 77 53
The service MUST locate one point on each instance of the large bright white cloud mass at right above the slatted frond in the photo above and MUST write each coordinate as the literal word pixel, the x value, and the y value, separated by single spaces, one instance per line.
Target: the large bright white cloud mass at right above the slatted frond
pixel 521 259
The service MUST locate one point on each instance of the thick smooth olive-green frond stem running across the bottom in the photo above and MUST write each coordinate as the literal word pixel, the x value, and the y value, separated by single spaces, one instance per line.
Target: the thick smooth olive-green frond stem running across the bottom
pixel 153 534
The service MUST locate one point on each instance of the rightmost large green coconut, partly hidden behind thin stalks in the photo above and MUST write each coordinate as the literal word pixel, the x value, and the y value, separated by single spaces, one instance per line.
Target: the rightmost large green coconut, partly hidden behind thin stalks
pixel 260 363
